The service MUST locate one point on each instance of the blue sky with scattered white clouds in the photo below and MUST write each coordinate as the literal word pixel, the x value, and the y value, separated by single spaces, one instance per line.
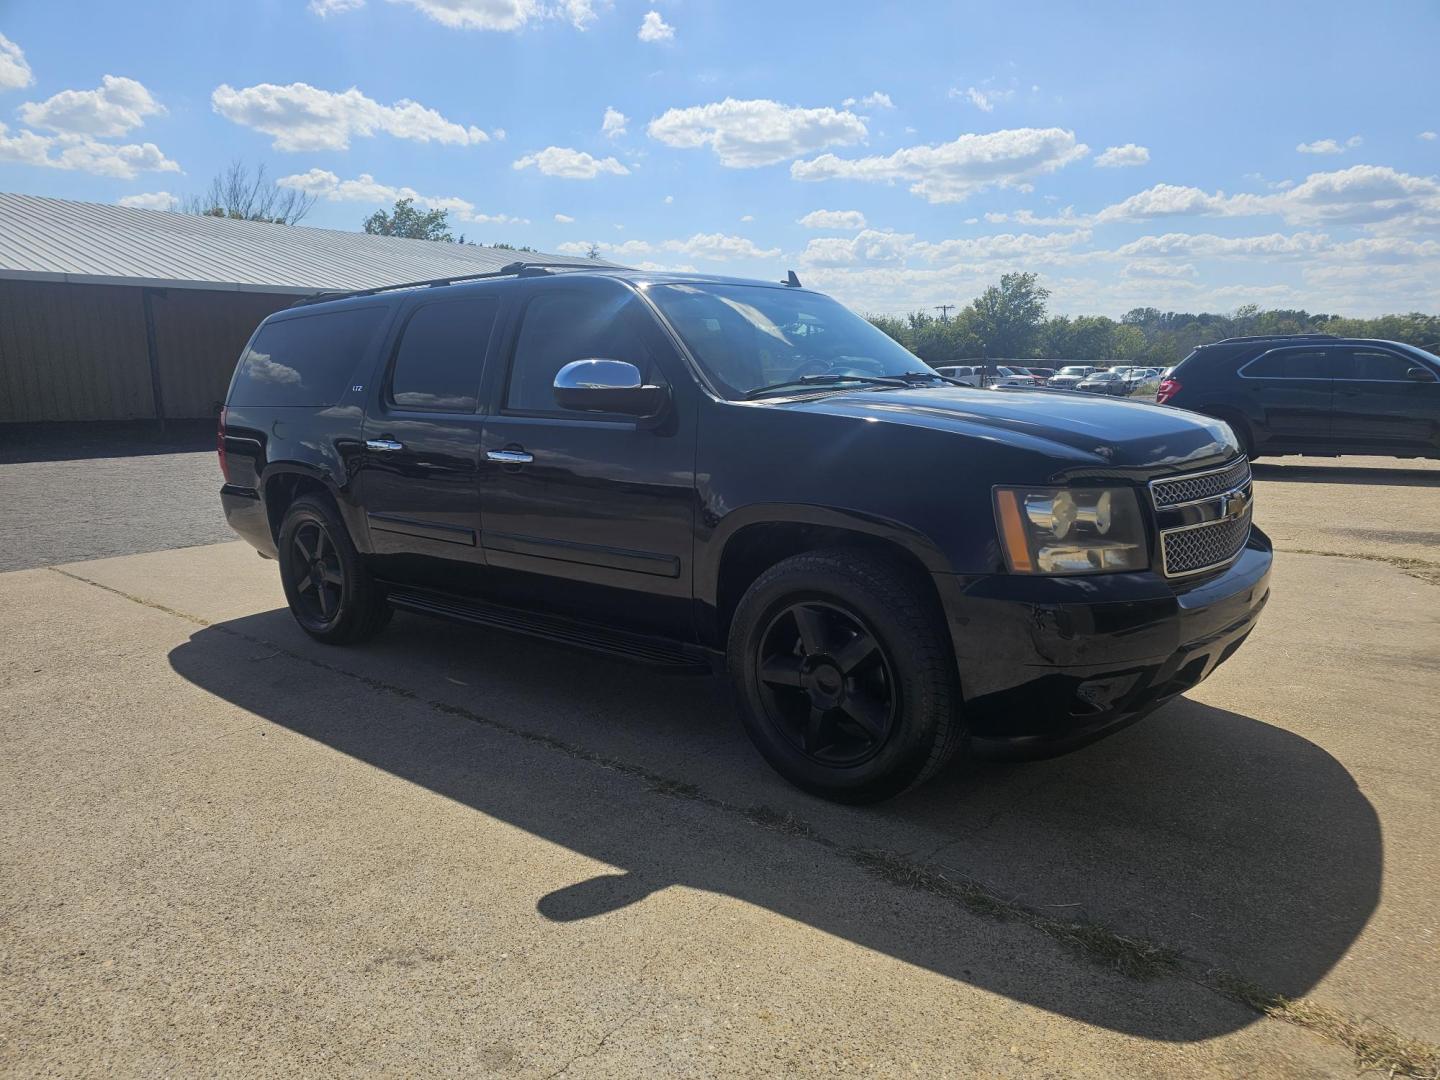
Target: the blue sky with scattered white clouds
pixel 899 156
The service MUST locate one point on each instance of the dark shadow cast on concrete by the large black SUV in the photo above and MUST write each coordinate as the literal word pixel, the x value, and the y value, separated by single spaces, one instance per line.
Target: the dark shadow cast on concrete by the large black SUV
pixel 1243 845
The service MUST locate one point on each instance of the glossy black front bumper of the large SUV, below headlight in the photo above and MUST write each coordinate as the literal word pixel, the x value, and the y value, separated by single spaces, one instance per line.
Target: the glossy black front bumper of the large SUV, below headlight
pixel 1053 663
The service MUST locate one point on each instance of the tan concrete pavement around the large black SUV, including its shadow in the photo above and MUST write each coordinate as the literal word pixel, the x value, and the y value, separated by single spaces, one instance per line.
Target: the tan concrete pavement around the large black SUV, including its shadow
pixel 231 850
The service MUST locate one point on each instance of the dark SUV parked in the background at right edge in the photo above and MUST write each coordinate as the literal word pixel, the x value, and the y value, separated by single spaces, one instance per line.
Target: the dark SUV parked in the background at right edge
pixel 1315 394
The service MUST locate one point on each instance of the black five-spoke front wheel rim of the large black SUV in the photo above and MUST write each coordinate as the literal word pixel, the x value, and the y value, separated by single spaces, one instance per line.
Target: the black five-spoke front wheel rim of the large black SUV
pixel 827 685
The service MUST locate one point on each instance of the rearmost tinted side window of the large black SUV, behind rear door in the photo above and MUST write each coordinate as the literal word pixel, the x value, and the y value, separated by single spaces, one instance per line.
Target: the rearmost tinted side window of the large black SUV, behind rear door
pixel 307 361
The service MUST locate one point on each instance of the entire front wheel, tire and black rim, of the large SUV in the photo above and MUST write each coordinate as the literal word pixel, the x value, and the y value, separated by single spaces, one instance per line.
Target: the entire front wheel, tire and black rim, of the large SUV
pixel 845 676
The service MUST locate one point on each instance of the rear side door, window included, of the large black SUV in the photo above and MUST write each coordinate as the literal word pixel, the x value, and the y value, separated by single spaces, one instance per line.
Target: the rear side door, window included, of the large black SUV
pixel 420 467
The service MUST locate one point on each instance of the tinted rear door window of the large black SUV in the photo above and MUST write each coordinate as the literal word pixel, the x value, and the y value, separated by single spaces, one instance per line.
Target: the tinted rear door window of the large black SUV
pixel 441 354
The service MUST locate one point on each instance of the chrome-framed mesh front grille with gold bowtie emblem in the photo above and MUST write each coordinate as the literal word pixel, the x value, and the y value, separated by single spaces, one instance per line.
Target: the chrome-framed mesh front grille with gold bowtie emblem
pixel 1205 519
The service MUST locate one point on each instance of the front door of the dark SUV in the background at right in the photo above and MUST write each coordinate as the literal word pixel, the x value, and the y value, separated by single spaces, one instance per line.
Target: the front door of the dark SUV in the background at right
pixel 1380 407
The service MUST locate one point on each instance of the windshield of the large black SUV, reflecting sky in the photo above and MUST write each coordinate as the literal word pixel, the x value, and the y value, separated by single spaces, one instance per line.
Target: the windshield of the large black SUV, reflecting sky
pixel 750 338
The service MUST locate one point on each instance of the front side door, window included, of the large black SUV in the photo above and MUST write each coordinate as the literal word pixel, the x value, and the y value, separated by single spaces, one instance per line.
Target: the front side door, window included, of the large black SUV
pixel 594 512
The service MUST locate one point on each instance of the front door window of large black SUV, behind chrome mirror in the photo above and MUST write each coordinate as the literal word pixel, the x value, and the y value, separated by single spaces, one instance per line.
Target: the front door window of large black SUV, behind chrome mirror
pixel 561 328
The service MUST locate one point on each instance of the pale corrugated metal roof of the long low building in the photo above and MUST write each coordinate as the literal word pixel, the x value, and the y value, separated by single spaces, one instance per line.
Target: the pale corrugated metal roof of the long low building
pixel 96 244
